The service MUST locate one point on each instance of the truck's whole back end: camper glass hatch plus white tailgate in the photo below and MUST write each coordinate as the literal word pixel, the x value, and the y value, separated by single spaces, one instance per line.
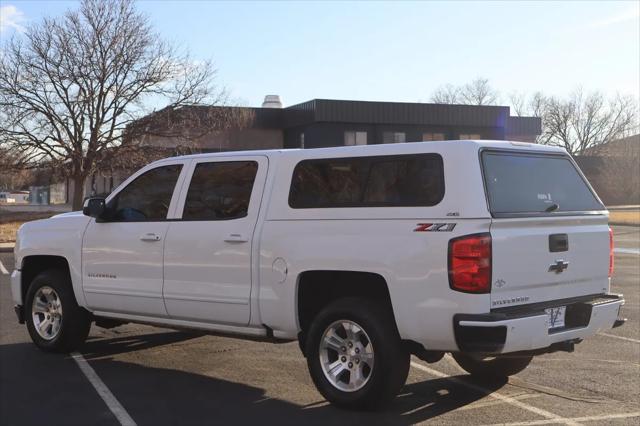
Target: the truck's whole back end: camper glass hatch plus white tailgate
pixel 550 237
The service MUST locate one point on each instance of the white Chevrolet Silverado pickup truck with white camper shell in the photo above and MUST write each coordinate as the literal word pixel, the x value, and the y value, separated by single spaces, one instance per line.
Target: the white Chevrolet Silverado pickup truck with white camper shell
pixel 493 251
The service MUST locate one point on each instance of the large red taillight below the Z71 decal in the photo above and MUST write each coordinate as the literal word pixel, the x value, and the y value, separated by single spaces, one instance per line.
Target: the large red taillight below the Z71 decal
pixel 470 263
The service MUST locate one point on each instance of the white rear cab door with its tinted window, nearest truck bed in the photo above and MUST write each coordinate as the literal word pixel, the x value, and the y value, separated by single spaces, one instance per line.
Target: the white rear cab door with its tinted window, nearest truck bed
pixel 208 249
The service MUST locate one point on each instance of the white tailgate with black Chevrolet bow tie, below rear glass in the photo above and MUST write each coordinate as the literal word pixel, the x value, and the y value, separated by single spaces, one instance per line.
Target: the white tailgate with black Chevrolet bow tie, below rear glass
pixel 536 260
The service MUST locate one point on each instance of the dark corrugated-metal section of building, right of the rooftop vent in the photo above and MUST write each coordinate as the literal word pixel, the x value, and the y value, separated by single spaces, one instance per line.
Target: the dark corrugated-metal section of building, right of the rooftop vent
pixel 321 122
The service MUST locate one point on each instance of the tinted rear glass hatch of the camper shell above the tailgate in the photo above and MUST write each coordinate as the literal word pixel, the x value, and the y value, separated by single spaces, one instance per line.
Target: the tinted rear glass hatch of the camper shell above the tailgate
pixel 519 183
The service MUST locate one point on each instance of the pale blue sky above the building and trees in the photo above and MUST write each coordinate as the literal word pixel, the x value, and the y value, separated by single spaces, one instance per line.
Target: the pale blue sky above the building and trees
pixel 392 51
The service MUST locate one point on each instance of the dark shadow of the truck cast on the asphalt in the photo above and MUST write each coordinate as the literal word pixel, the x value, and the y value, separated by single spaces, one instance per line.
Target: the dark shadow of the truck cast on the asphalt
pixel 161 396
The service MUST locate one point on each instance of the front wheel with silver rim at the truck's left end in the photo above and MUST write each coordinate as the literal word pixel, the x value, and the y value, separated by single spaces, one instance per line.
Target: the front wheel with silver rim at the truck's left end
pixel 54 320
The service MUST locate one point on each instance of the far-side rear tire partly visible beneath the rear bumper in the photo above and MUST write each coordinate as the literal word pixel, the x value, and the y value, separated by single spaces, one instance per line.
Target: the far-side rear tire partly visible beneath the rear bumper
pixel 487 367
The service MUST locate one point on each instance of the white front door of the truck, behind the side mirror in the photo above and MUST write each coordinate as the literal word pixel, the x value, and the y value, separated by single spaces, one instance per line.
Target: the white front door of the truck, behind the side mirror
pixel 122 254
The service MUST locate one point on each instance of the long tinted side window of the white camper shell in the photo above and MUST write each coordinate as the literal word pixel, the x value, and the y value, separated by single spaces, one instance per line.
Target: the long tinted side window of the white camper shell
pixel 413 180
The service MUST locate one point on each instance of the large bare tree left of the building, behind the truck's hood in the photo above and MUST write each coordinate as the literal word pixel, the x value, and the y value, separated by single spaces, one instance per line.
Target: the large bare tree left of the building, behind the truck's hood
pixel 69 87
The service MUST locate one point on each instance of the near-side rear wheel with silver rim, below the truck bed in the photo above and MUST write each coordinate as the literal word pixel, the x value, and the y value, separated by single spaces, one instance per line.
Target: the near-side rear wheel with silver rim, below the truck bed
pixel 355 356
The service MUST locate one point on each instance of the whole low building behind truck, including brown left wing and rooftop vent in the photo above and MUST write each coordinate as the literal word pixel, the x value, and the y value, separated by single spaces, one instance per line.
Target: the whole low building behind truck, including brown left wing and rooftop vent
pixel 323 123
